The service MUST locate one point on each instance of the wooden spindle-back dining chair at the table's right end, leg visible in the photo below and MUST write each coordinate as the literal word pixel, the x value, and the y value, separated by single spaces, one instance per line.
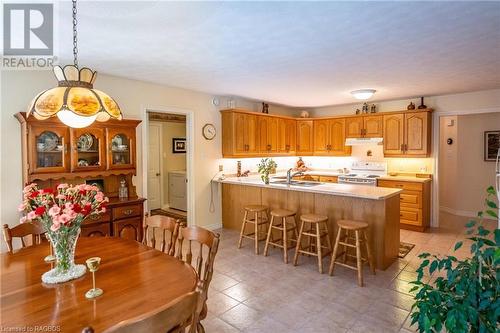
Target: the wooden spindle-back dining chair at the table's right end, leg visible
pixel 207 242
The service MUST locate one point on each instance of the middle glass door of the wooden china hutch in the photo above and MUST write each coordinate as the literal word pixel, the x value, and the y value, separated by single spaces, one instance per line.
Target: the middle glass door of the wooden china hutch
pixel 88 149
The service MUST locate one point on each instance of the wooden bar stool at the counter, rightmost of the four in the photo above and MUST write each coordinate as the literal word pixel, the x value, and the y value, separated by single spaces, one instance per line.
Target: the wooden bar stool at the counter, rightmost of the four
pixel 359 229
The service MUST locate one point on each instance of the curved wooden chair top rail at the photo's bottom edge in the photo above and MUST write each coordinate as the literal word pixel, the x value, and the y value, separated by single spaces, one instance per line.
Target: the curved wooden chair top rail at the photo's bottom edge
pixel 173 317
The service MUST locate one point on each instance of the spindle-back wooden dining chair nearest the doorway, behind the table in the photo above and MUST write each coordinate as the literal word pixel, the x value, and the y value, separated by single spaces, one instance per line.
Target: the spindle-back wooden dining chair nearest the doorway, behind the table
pixel 164 224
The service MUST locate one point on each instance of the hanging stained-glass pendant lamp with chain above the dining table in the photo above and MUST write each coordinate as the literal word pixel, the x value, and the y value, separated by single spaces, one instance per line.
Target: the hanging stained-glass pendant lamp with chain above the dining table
pixel 75 101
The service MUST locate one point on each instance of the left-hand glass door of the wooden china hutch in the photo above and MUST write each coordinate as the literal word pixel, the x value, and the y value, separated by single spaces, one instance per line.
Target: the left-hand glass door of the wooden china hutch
pixel 49 152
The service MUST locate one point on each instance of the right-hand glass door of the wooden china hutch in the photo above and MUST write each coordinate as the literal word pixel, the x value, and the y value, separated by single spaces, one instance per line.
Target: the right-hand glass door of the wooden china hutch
pixel 121 148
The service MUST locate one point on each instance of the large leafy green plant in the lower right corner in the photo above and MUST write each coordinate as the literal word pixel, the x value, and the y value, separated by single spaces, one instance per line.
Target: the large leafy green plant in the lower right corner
pixel 465 297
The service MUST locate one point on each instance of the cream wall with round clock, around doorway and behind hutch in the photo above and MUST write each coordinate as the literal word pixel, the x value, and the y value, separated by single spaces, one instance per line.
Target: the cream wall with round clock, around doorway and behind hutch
pixel 19 87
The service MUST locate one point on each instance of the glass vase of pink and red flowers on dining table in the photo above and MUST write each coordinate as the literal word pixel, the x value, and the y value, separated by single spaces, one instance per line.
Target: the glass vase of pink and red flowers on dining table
pixel 61 213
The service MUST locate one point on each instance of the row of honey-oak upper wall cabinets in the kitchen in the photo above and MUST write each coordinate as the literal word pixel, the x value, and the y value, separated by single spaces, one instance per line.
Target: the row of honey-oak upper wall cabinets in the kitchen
pixel 251 134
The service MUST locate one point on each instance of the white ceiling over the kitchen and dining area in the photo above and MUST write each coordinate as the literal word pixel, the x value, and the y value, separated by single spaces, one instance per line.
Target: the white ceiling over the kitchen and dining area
pixel 293 53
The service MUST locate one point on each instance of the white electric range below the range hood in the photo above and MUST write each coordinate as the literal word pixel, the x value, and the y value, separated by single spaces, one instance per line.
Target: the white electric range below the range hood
pixel 364 173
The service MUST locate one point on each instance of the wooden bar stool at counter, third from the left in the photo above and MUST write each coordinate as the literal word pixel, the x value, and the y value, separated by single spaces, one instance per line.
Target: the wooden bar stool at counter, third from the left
pixel 318 228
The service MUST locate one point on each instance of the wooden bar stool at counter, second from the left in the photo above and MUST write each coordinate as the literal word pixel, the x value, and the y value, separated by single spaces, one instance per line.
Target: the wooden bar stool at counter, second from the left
pixel 284 226
